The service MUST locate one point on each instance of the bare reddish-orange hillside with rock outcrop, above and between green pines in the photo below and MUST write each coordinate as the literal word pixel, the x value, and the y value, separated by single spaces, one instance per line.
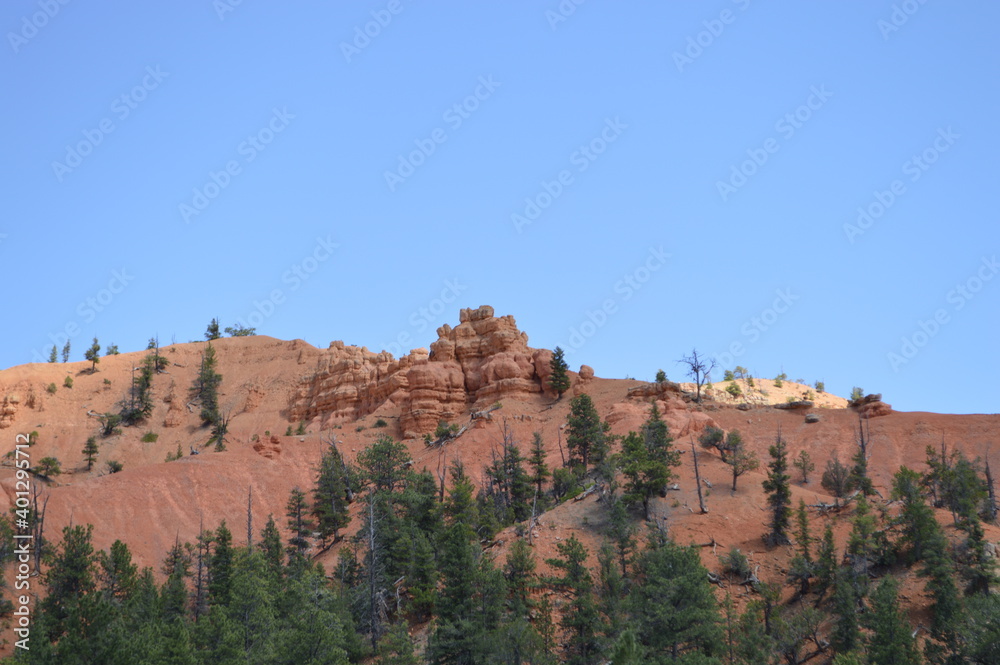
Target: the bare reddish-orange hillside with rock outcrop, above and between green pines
pixel 270 386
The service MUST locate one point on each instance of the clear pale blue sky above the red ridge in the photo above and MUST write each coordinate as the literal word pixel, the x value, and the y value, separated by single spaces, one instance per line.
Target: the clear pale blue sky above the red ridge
pixel 630 180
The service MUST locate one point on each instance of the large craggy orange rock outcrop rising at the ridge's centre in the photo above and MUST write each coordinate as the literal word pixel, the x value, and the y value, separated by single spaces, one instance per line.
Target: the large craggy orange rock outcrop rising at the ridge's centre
pixel 482 359
